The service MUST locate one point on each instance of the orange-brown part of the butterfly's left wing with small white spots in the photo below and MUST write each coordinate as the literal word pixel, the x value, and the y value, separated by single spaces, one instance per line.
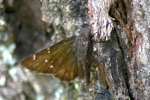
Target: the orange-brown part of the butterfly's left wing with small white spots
pixel 59 60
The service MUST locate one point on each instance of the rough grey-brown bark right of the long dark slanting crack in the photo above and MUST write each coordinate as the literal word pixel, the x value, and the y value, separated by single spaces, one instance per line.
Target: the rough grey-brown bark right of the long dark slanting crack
pixel 132 35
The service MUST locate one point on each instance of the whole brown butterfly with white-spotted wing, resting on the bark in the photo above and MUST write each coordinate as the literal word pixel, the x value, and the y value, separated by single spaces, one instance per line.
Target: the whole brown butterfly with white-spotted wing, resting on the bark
pixel 66 60
